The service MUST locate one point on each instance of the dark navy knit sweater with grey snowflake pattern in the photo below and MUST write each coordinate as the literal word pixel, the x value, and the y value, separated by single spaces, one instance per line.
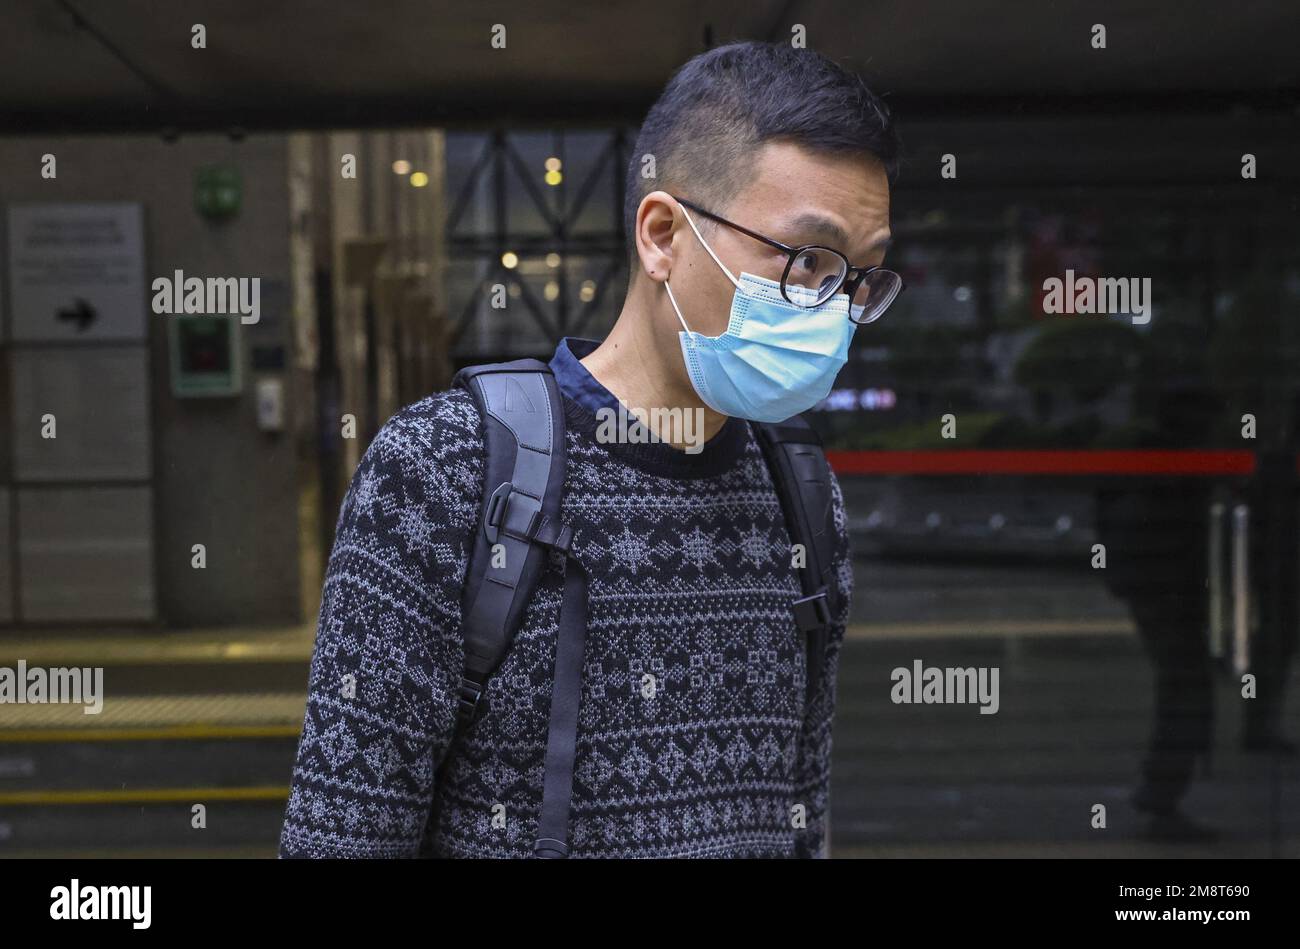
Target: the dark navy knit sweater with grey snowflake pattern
pixel 690 583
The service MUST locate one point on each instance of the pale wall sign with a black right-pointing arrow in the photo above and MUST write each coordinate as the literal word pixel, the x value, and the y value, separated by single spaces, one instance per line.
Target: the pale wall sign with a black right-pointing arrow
pixel 77 272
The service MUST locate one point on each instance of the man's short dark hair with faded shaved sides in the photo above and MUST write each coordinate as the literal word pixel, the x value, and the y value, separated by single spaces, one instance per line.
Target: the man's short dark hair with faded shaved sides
pixel 721 106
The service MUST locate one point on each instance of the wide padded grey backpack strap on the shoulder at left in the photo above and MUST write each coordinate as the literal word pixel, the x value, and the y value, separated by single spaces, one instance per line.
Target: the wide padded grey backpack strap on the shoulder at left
pixel 523 482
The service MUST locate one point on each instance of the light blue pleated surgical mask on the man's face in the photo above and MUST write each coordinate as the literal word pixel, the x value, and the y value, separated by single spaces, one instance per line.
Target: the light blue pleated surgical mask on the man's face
pixel 775 359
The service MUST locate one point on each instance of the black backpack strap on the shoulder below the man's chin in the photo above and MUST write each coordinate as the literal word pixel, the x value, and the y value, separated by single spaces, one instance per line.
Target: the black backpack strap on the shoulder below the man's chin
pixel 803 478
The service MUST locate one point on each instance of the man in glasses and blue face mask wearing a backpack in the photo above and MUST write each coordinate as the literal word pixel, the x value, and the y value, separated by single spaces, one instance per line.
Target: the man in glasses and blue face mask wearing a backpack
pixel 688 720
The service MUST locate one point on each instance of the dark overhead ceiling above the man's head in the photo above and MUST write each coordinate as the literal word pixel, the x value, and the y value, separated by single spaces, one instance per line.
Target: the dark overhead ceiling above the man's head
pixel 85 66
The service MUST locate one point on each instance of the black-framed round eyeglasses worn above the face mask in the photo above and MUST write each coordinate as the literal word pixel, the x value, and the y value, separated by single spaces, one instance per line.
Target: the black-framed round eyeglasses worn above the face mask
pixel 814 274
